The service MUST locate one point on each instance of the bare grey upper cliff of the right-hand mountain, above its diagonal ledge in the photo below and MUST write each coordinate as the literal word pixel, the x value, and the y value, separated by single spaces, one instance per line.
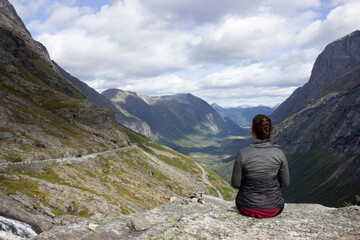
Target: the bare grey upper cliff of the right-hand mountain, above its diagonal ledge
pixel 336 60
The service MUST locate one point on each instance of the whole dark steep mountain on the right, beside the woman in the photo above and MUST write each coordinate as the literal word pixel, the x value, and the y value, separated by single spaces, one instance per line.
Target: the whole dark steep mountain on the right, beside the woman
pixel 319 126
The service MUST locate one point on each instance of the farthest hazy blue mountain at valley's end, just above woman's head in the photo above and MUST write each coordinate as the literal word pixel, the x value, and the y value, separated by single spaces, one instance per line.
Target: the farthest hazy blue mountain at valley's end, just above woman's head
pixel 242 115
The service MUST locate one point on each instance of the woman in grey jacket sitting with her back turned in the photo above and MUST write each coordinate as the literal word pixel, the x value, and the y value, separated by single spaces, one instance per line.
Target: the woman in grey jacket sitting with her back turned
pixel 260 170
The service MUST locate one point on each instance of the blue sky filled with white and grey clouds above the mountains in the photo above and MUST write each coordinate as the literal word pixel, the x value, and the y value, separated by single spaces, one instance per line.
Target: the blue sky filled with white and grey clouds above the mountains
pixel 230 52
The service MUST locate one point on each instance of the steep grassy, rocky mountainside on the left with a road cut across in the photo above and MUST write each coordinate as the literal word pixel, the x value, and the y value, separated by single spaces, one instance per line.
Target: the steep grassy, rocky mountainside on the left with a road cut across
pixel 64 159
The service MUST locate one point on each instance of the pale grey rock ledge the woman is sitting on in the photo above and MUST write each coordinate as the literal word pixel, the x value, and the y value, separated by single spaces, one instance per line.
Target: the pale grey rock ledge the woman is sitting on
pixel 214 218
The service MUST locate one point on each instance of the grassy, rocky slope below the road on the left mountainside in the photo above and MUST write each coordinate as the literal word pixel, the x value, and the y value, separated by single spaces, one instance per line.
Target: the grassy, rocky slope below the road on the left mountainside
pixel 125 181
